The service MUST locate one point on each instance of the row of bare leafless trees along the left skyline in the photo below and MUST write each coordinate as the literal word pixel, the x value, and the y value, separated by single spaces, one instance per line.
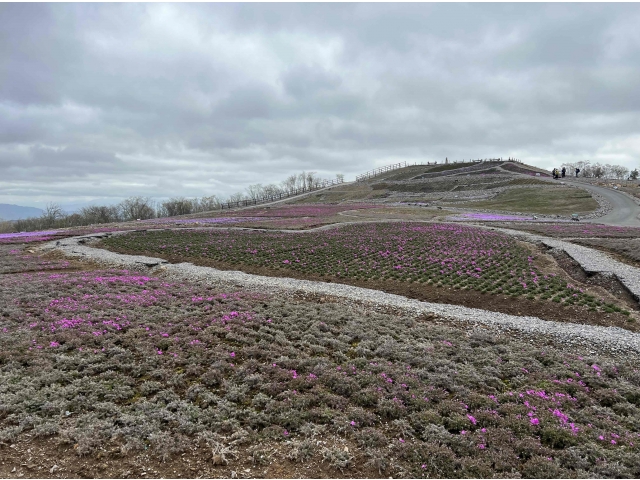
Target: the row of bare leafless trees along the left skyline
pixel 144 208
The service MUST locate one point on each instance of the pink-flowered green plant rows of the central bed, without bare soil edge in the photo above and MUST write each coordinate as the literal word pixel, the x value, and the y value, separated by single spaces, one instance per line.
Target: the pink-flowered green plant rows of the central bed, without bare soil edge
pixel 457 256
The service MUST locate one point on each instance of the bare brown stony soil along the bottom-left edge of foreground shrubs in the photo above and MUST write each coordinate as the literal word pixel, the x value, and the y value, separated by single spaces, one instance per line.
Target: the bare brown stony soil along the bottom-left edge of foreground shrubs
pixel 49 458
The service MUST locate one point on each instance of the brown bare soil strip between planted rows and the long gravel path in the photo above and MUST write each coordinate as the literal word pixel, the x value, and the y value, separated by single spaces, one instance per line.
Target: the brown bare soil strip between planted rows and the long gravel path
pixel 430 293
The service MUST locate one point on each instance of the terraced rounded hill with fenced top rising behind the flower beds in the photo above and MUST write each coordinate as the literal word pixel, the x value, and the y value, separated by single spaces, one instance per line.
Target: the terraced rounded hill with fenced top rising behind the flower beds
pixel 496 185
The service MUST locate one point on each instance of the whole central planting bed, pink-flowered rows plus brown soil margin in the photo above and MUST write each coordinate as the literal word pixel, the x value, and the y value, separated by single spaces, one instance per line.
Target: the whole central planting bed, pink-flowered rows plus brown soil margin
pixel 436 262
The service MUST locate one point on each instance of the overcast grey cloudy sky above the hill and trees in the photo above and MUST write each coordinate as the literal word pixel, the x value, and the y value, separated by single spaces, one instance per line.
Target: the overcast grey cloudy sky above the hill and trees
pixel 103 101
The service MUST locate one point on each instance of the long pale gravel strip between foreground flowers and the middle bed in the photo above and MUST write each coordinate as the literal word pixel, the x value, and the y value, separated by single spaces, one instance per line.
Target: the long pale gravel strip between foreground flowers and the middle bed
pixel 612 339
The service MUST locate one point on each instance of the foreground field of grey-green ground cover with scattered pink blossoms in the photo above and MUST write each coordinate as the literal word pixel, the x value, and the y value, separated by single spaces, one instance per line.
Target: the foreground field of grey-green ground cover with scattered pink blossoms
pixel 113 363
